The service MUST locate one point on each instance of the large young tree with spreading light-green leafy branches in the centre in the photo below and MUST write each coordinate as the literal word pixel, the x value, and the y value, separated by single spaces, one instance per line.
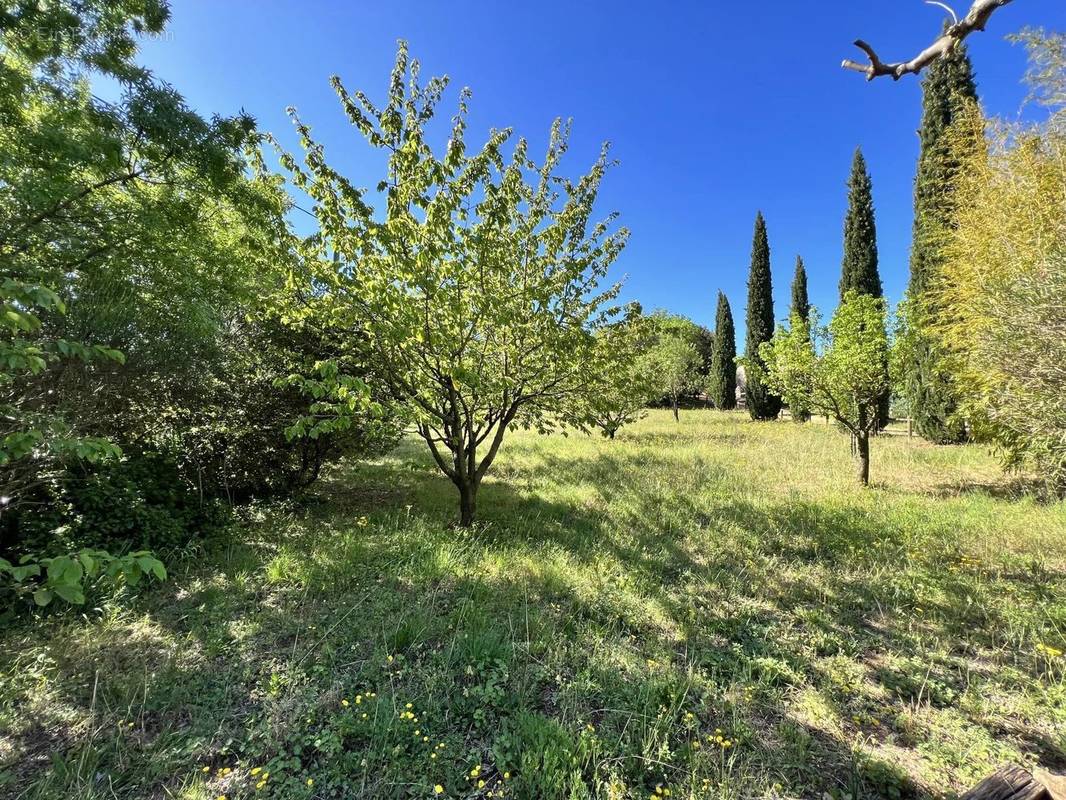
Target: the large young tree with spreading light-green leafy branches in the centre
pixel 475 283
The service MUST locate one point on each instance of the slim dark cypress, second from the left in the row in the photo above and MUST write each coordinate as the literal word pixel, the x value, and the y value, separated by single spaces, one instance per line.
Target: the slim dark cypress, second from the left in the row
pixel 762 403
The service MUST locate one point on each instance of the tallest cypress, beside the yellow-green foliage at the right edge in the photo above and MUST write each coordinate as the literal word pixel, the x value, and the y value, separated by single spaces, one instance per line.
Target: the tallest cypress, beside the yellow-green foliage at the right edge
pixel 947 88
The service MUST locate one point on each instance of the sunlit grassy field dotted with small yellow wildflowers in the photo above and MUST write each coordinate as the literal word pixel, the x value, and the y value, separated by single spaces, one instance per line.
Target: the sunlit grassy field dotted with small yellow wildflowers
pixel 708 610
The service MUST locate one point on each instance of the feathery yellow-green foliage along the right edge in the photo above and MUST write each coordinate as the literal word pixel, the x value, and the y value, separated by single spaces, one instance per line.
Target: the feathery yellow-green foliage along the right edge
pixel 1003 283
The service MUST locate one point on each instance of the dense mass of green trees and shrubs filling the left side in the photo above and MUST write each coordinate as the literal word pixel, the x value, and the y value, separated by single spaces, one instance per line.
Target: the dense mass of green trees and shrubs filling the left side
pixel 146 252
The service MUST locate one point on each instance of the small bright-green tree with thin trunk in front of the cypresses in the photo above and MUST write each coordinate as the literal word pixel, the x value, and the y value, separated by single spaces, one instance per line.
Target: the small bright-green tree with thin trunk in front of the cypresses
pixel 839 373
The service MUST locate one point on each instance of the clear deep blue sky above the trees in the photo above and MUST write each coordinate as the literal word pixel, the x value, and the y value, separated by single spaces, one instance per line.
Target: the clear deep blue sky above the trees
pixel 715 109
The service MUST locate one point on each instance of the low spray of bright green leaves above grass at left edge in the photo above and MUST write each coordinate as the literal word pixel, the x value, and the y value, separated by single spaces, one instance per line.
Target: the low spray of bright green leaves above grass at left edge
pixel 69 577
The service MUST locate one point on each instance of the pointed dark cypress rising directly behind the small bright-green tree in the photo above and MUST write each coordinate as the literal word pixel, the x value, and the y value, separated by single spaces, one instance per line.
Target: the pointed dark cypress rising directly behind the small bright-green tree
pixel 860 269
